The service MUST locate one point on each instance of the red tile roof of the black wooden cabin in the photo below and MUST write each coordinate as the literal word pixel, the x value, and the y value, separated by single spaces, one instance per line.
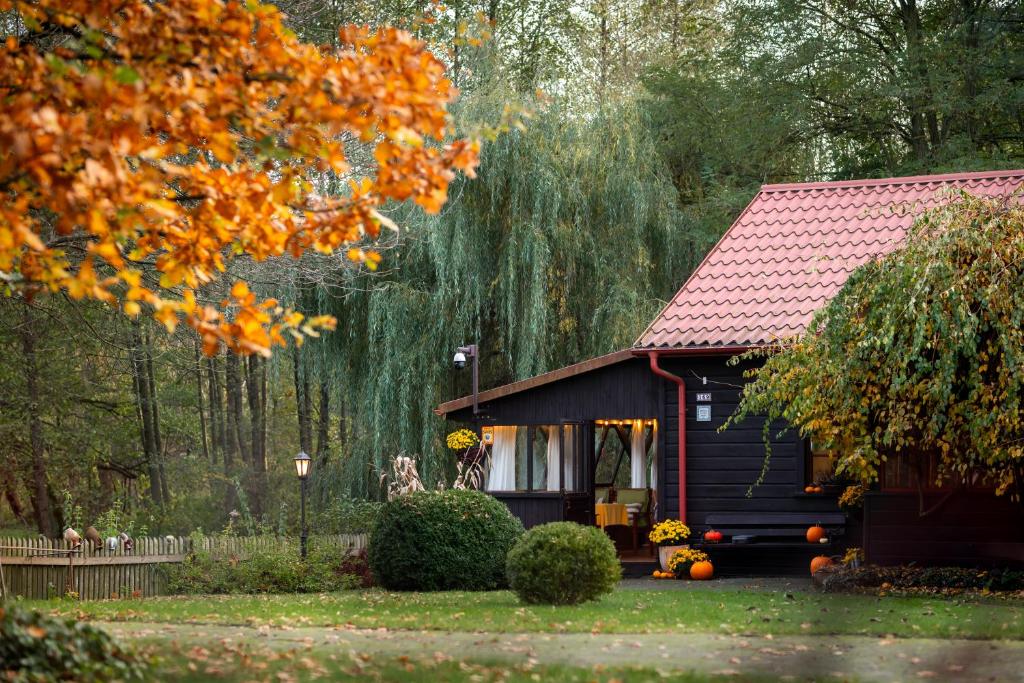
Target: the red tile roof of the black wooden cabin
pixel 793 248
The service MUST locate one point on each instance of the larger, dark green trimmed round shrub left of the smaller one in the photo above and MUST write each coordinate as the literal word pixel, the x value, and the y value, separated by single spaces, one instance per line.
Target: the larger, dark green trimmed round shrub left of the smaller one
pixel 443 541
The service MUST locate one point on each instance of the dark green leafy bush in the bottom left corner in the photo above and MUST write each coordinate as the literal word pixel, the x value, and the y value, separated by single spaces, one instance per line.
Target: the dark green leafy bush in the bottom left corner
pixel 39 649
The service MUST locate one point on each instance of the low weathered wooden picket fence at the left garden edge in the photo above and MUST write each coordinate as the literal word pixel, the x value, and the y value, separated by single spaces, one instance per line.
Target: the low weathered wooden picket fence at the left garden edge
pixel 41 569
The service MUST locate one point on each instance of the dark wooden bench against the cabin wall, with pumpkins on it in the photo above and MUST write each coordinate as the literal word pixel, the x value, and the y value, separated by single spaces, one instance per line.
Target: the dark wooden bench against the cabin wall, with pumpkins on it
pixel 778 530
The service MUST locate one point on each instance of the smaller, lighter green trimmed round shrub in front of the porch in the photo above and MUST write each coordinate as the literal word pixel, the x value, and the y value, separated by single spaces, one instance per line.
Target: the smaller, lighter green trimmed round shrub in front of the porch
pixel 564 564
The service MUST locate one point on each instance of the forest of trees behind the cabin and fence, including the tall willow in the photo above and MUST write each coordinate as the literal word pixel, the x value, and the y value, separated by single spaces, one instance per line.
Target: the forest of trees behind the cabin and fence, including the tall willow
pixel 647 126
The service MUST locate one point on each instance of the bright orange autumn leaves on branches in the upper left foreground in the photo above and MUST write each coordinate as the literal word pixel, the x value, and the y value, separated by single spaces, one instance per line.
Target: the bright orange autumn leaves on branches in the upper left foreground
pixel 145 146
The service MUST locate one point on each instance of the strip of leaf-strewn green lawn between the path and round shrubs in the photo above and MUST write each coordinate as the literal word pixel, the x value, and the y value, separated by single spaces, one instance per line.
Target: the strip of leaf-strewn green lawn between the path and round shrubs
pixel 726 612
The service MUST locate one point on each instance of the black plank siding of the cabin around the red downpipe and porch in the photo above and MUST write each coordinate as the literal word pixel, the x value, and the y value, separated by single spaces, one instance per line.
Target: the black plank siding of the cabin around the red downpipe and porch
pixel 722 466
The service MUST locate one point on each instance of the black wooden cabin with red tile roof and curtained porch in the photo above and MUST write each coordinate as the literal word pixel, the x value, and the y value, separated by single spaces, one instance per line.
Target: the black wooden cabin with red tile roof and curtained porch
pixel 645 421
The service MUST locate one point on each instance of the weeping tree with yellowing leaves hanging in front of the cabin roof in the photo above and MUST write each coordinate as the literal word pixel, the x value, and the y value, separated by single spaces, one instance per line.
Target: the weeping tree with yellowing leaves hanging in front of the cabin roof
pixel 920 356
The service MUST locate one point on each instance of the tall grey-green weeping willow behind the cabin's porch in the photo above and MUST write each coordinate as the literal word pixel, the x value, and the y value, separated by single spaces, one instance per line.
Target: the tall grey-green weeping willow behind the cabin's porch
pixel 564 248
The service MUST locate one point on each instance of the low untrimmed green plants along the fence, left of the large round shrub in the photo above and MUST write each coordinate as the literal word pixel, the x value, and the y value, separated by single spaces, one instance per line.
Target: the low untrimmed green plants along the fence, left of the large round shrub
pixel 279 570
